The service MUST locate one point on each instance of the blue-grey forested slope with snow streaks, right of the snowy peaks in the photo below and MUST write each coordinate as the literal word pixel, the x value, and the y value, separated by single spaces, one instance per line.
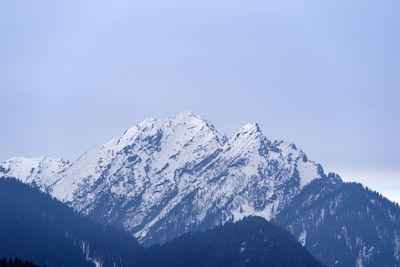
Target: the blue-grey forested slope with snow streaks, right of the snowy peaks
pixel 345 224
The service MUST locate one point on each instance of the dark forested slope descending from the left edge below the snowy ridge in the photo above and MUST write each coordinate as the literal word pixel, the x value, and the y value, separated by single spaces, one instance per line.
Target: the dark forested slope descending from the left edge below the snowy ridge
pixel 35 227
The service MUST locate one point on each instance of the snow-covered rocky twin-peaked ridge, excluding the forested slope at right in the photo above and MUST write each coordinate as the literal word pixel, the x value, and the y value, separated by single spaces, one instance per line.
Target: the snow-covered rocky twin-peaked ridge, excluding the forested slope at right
pixel 167 176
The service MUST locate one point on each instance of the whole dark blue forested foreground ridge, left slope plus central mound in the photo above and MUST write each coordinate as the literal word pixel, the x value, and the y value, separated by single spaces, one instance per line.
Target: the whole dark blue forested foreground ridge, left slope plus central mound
pixel 36 227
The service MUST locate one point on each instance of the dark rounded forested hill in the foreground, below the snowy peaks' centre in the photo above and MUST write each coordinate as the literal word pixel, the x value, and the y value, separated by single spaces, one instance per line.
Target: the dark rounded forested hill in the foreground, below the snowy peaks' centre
pixel 249 242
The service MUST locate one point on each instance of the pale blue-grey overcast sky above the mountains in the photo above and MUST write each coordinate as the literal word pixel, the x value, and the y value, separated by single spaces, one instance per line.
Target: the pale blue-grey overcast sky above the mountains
pixel 322 74
